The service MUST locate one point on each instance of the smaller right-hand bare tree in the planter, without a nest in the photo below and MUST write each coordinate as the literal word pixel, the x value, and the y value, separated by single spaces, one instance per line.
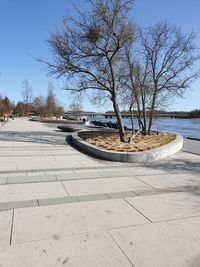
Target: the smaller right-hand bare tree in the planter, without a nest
pixel 162 70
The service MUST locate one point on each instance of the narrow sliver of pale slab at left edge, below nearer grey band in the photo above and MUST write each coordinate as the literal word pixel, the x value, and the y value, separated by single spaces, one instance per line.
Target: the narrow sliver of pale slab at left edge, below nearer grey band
pixel 5 227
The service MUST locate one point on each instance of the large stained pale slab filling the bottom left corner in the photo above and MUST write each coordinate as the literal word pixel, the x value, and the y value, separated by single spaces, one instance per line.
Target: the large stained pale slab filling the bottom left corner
pixel 86 250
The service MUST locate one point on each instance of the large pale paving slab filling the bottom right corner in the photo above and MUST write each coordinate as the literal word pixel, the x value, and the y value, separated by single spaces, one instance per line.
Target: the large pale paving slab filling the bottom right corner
pixel 175 243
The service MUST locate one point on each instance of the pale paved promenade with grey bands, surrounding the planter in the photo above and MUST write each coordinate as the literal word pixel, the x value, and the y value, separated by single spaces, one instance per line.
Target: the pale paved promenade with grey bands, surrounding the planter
pixel 59 207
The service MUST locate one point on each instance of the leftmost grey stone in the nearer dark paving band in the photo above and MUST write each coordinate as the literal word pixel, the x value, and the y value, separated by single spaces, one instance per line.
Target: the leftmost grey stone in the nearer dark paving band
pixel 18 204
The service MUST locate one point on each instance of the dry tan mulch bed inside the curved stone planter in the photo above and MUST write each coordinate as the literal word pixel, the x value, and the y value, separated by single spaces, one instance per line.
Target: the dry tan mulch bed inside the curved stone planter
pixel 111 141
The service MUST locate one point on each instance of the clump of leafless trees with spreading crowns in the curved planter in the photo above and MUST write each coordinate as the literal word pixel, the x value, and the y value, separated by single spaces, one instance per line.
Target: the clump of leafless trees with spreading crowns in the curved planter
pixel 104 51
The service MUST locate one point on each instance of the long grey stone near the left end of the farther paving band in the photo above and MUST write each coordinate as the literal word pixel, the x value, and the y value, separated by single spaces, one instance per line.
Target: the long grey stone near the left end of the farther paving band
pixel 31 179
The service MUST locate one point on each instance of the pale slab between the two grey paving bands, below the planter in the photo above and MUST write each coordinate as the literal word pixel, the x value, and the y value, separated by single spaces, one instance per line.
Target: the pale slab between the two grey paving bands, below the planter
pixel 104 185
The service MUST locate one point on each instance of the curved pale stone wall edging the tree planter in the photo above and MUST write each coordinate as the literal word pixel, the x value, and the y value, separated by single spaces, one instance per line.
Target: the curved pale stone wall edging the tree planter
pixel 152 155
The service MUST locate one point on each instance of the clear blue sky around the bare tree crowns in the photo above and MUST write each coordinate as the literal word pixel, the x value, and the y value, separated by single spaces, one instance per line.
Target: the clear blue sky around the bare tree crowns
pixel 26 24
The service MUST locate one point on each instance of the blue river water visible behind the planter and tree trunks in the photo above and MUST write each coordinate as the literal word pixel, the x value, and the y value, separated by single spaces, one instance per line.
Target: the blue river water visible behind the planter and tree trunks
pixel 185 127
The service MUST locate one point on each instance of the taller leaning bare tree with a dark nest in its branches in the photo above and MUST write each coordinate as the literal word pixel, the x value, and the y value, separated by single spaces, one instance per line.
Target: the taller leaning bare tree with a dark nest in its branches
pixel 89 51
